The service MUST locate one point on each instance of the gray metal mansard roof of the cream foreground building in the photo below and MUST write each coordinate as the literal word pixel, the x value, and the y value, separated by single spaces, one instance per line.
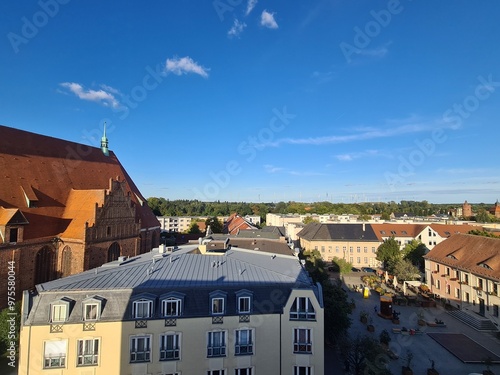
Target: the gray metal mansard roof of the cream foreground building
pixel 193 275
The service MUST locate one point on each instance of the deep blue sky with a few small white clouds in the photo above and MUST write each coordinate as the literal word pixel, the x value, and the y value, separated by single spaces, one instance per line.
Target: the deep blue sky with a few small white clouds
pixel 345 101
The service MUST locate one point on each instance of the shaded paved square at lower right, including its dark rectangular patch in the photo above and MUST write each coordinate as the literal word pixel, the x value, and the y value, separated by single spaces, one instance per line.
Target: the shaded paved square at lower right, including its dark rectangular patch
pixel 424 347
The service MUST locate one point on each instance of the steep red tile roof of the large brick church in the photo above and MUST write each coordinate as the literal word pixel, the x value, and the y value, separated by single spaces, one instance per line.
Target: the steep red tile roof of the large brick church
pixel 53 174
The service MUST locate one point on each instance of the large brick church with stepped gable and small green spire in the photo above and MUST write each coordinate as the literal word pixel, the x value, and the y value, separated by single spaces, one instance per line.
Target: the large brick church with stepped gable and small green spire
pixel 65 207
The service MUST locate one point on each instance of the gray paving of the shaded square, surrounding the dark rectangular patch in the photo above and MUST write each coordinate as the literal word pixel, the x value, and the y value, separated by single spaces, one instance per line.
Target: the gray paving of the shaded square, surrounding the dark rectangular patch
pixel 423 347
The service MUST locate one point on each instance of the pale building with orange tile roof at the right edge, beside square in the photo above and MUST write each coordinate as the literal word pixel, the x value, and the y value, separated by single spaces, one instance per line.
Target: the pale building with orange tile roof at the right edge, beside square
pixel 464 270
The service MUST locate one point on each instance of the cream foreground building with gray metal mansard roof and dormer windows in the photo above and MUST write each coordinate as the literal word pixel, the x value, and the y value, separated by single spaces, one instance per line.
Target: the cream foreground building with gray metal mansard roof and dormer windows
pixel 238 312
